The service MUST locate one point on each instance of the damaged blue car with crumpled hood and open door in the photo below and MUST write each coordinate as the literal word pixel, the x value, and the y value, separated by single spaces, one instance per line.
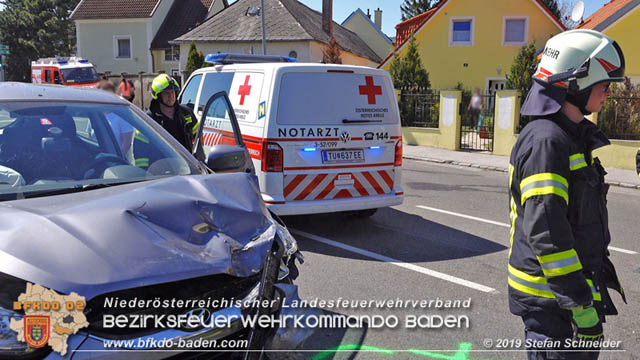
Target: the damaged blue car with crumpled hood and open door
pixel 97 199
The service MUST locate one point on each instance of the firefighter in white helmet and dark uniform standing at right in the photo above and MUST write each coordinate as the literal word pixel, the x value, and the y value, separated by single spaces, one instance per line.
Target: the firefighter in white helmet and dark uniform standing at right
pixel 559 269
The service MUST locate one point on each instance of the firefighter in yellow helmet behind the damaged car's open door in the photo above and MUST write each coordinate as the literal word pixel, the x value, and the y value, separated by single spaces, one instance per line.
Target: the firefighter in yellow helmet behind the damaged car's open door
pixel 177 119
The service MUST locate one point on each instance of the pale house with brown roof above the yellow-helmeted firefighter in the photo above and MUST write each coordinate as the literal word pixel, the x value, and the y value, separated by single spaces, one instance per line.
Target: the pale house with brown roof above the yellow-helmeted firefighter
pixel 133 35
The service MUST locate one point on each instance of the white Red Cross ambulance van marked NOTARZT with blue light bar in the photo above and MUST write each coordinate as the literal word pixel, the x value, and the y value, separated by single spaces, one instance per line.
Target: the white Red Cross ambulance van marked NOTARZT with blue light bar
pixel 323 138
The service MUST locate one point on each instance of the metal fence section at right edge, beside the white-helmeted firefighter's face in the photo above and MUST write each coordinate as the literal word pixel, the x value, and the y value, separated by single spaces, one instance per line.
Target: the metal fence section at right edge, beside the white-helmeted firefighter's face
pixel 620 118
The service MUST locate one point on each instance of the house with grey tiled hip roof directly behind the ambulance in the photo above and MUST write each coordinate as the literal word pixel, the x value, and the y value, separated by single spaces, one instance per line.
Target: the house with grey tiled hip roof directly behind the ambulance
pixel 292 29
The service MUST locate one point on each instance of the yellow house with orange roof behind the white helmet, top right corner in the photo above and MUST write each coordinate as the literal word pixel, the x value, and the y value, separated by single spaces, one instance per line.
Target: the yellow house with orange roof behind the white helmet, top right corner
pixel 619 19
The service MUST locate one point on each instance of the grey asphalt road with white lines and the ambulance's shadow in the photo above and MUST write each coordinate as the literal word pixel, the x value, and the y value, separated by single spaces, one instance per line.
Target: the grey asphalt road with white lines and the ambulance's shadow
pixel 418 251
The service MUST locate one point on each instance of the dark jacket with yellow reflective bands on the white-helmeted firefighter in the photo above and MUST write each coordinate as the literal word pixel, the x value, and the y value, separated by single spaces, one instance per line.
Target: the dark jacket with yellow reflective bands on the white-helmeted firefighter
pixel 558 257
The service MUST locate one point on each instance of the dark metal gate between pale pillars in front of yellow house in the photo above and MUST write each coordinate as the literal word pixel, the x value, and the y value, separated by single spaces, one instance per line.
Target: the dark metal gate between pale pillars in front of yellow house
pixel 476 130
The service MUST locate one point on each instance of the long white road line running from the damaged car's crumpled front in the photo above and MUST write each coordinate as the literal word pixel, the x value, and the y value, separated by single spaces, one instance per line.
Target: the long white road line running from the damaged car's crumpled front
pixel 399 263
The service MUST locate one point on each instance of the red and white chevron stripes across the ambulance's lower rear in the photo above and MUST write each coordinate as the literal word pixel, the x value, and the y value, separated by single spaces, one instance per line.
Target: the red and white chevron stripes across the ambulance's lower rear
pixel 337 185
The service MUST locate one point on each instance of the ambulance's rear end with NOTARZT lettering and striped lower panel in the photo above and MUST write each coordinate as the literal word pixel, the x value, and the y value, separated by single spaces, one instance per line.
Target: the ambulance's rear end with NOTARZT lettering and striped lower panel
pixel 339 130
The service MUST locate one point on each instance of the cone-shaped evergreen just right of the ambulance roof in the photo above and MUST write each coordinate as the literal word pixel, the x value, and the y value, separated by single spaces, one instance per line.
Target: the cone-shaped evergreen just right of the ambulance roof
pixel 407 72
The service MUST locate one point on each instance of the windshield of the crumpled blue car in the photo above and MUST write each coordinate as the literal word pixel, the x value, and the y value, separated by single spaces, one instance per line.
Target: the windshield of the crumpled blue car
pixel 53 146
